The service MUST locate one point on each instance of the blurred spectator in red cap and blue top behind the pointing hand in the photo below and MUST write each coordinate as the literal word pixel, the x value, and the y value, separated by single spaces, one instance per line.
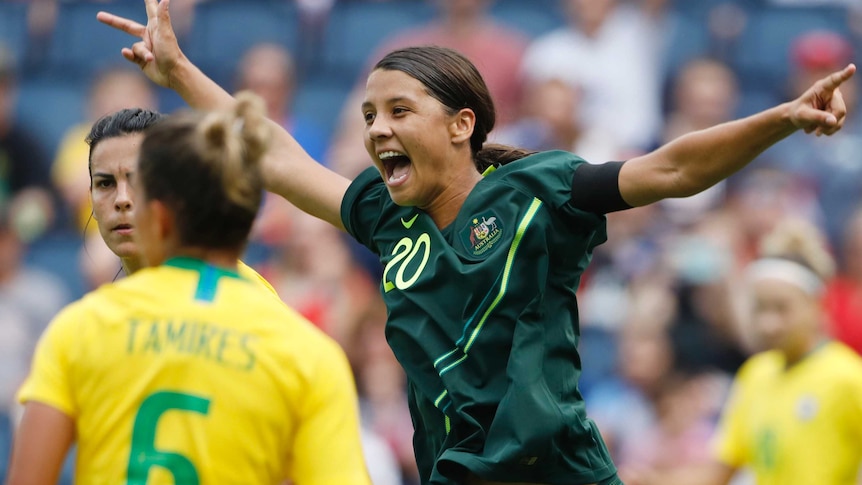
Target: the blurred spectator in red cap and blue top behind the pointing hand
pixel 831 168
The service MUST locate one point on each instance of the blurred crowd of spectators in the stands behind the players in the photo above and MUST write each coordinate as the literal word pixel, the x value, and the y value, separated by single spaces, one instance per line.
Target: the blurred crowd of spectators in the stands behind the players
pixel 662 309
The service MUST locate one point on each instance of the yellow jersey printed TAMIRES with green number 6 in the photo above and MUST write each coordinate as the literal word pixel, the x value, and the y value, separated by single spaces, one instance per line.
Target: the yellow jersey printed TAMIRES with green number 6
pixel 186 373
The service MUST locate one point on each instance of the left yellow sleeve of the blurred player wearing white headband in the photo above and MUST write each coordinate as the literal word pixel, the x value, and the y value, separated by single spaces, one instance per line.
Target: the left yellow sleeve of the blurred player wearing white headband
pixel 729 445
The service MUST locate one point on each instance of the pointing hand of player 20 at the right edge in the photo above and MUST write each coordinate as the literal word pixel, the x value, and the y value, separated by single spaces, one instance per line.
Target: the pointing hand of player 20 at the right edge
pixel 821 109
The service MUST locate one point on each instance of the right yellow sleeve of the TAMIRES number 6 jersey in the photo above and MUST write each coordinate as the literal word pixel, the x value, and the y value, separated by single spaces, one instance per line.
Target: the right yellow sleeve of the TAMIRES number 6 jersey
pixel 328 447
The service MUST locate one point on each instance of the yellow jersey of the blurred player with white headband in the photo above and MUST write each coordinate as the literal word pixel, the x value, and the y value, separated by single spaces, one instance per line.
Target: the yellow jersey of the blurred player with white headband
pixel 799 425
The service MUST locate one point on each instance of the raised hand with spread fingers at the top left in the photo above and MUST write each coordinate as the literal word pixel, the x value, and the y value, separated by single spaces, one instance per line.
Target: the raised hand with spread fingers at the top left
pixel 157 53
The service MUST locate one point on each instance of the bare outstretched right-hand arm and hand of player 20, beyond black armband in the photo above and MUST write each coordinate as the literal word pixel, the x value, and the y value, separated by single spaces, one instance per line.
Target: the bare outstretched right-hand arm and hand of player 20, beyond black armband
pixel 699 160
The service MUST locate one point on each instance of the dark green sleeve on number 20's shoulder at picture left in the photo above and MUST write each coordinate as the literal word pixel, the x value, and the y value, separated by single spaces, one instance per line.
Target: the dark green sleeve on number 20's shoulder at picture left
pixel 362 205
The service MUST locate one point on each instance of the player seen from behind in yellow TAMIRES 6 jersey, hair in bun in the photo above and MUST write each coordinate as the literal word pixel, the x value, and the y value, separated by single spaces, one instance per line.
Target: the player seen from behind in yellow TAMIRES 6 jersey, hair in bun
pixel 184 371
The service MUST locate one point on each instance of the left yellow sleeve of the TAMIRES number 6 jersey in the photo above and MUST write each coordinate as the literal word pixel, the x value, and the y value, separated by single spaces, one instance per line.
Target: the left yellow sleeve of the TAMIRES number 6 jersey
pixel 50 380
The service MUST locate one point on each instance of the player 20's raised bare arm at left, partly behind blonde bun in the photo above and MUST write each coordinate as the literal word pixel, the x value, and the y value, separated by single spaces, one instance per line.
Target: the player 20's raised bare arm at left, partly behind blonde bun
pixel 288 170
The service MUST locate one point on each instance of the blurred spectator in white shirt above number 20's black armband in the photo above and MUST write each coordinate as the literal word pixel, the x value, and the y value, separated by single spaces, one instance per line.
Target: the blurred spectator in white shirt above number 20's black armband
pixel 621 99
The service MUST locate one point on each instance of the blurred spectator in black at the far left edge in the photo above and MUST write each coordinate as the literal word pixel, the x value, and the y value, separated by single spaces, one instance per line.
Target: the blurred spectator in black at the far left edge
pixel 23 165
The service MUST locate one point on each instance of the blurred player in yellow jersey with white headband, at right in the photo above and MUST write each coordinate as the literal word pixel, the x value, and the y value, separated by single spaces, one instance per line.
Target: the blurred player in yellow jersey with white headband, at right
pixel 795 416
